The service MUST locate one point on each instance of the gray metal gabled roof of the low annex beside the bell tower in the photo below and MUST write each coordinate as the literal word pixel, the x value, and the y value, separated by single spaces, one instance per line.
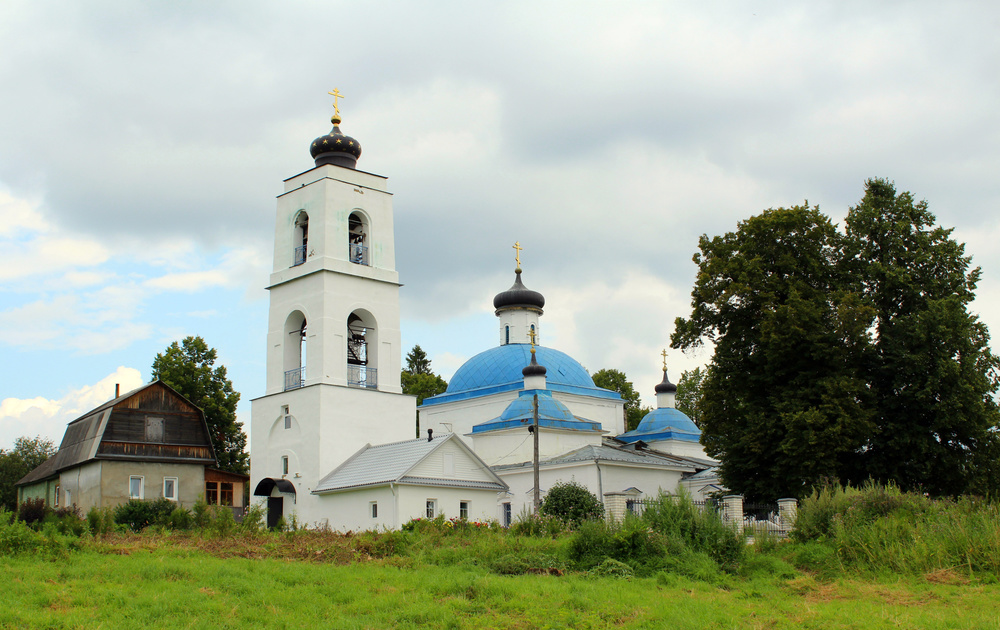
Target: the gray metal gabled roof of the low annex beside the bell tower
pixel 390 463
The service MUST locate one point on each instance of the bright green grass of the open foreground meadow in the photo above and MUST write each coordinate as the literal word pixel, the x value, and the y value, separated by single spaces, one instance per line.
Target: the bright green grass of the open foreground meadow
pixel 182 582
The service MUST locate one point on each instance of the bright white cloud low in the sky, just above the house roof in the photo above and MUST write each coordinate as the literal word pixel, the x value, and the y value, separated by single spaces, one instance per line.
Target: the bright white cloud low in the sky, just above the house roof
pixel 49 417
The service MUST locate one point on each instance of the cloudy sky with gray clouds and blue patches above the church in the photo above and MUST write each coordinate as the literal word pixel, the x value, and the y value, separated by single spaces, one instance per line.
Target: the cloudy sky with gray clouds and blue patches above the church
pixel 142 146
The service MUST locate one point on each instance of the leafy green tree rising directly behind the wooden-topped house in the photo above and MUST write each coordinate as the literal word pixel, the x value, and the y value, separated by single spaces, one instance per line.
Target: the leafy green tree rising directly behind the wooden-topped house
pixel 189 367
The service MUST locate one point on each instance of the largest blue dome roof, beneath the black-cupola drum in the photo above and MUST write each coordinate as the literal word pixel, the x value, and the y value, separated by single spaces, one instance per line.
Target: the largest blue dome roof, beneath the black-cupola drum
pixel 499 370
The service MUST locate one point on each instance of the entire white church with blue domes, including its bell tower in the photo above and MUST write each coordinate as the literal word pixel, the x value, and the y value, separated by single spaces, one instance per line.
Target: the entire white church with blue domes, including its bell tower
pixel 332 437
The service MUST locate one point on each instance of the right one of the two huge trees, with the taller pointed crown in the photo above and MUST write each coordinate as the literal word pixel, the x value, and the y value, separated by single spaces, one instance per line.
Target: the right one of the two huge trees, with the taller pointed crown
pixel 929 366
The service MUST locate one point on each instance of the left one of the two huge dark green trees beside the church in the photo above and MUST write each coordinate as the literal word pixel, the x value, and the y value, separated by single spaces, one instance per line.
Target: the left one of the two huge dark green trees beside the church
pixel 782 403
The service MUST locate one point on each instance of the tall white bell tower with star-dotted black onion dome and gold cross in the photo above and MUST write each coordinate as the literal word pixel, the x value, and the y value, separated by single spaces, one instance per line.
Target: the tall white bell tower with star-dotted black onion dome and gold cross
pixel 333 340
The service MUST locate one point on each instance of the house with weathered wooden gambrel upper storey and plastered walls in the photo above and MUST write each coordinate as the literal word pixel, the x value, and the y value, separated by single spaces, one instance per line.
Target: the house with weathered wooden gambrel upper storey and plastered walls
pixel 146 444
